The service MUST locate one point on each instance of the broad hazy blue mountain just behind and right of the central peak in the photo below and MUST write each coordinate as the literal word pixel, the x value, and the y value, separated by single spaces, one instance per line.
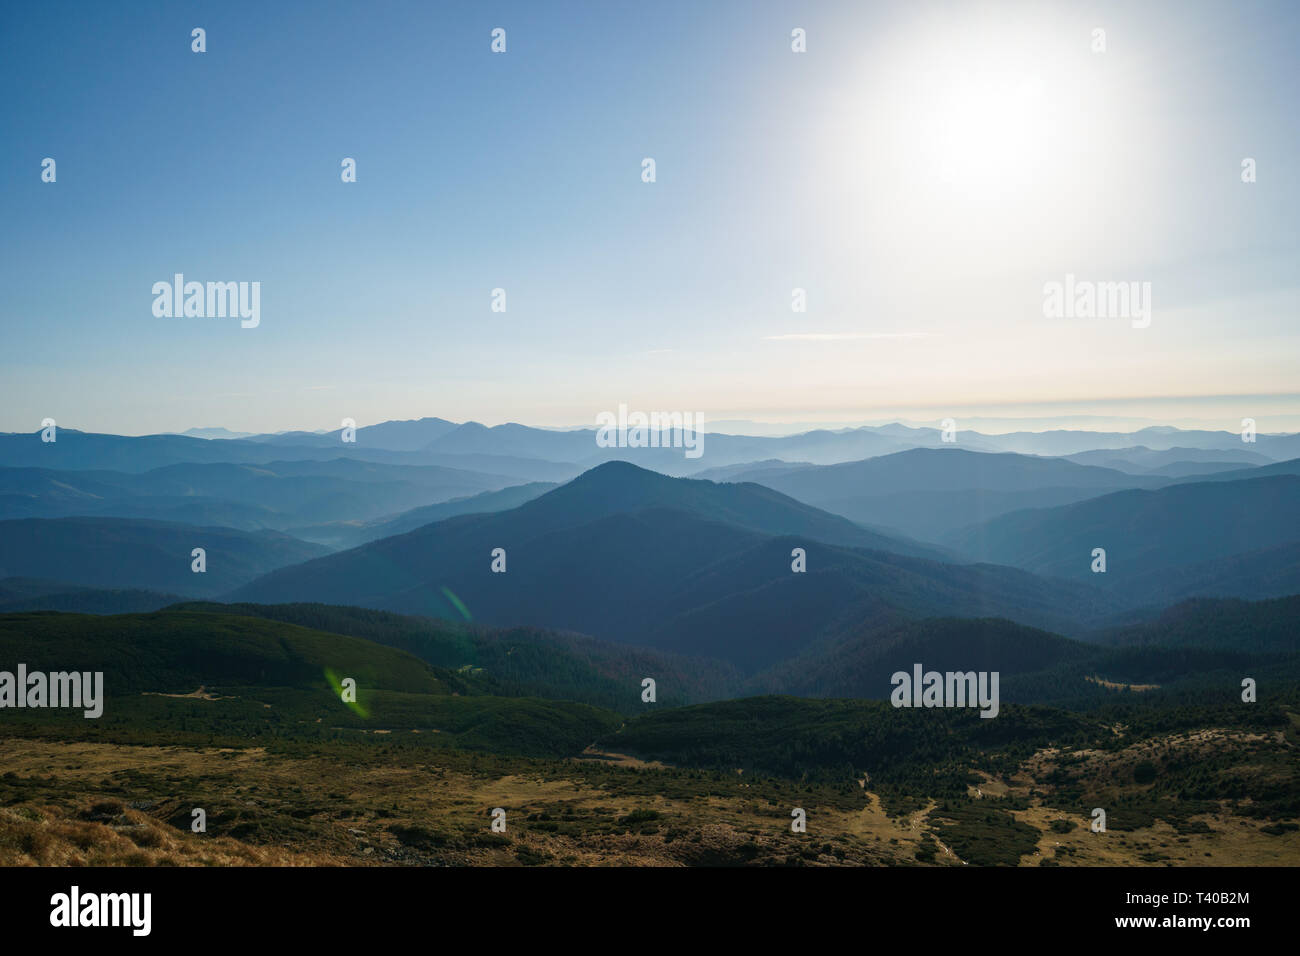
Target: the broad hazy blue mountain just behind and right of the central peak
pixel 928 494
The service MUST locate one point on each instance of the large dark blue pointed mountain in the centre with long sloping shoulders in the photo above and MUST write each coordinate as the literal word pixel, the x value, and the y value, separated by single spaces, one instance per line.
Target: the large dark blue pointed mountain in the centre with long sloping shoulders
pixel 673 564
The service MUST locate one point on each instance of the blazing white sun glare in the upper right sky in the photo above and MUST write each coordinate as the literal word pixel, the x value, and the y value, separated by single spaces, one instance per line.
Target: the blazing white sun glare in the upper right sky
pixel 974 144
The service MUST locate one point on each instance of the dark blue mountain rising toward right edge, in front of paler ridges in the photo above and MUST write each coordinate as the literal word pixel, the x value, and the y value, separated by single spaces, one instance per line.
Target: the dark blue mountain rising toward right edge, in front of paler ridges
pixel 1147 535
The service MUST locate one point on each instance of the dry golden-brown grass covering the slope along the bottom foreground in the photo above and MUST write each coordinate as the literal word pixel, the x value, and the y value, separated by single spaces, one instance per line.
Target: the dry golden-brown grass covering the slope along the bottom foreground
pixel 116 806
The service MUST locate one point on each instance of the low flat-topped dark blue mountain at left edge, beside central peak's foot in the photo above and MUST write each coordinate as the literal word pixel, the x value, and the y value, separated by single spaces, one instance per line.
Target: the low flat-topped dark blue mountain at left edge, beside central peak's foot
pixel 116 553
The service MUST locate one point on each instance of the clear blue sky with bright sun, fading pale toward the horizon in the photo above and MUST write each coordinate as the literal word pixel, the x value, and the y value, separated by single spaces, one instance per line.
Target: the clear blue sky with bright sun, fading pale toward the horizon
pixel 922 172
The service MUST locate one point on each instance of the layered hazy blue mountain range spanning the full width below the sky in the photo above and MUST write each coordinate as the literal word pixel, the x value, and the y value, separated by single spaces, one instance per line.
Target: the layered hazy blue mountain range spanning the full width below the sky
pixel 770 563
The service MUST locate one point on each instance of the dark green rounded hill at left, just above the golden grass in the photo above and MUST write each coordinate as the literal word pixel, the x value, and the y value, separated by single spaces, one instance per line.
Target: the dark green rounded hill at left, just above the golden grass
pixel 187 677
